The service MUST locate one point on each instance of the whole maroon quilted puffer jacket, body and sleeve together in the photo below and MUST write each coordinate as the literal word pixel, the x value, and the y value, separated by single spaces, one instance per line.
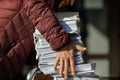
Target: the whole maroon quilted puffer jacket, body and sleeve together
pixel 17 21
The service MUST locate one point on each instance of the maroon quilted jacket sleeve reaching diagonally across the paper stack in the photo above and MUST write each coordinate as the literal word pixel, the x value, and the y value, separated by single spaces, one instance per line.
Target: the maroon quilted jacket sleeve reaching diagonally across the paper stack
pixel 43 18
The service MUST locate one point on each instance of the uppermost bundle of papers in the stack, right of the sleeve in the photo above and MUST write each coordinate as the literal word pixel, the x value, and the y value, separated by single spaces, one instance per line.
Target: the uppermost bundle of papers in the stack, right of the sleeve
pixel 69 21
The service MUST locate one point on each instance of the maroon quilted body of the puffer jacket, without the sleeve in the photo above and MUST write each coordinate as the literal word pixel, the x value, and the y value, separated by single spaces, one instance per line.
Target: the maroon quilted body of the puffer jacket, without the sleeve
pixel 16 42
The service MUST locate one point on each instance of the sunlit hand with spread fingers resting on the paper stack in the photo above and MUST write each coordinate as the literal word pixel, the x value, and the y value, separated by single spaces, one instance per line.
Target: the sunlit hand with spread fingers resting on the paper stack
pixel 65 57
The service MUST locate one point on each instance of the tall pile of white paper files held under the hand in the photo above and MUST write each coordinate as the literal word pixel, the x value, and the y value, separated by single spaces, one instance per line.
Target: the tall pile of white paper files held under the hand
pixel 47 56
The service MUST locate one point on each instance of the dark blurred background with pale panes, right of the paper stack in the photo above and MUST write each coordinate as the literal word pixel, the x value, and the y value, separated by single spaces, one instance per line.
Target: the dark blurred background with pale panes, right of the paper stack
pixel 100 31
